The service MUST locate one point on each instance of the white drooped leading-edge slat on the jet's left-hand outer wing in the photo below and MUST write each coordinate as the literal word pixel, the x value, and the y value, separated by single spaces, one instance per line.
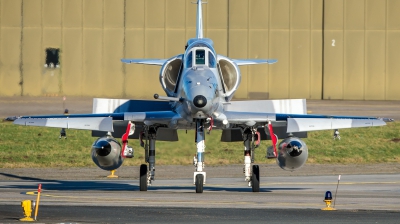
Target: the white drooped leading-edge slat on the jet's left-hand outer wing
pixel 87 123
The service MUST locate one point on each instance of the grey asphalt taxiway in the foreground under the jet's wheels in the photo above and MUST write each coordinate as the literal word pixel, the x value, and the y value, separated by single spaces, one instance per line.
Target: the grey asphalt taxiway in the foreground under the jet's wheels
pixel 360 198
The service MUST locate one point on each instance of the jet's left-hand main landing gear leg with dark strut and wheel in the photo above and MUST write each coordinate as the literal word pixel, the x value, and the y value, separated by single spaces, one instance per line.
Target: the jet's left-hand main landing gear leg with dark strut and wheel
pixel 149 145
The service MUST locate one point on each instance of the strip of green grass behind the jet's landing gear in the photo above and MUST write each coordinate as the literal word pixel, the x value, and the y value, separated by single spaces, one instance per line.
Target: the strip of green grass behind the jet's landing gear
pixel 22 146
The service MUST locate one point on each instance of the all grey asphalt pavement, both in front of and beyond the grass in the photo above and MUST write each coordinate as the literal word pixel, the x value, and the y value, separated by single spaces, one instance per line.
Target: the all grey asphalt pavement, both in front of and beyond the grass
pixel 364 196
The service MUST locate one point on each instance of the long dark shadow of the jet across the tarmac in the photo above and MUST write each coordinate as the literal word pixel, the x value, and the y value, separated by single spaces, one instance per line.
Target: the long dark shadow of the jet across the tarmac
pixel 119 185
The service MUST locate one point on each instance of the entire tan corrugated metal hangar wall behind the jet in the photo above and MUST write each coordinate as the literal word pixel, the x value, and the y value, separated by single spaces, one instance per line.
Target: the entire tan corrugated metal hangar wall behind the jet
pixel 331 49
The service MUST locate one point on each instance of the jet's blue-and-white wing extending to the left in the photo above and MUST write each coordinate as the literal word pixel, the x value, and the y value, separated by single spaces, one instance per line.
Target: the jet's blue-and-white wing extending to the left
pixel 97 122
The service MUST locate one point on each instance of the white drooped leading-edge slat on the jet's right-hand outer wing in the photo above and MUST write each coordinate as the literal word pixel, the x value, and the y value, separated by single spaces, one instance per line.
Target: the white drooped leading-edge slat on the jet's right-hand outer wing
pixel 314 124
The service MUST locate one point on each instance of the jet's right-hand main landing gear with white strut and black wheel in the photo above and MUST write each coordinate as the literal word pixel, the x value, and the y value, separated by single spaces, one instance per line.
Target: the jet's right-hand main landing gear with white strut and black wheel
pixel 251 172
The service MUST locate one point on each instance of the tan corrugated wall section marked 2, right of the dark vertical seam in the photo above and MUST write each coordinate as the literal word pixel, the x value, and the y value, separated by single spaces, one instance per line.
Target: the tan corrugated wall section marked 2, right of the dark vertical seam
pixel 362 49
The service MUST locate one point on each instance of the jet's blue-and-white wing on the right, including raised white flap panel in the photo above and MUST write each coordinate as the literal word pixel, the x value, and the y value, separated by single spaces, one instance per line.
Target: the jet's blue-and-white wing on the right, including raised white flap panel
pixel 292 114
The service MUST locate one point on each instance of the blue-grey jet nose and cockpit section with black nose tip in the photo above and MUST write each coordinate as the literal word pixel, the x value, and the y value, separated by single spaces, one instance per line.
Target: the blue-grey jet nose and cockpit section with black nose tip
pixel 200 84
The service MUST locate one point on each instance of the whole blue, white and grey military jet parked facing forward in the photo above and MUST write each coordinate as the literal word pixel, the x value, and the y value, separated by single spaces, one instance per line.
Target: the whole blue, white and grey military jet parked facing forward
pixel 199 85
